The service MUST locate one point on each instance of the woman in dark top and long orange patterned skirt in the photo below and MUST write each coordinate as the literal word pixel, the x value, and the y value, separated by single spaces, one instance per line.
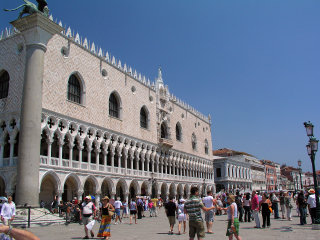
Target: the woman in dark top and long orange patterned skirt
pixel 105 217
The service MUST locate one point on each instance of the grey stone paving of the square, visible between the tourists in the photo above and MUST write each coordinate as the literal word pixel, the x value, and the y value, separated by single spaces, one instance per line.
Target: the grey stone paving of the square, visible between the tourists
pixel 157 228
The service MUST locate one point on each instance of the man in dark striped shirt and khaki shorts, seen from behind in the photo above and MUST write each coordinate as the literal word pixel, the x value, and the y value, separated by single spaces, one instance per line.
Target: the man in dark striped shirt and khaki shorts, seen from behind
pixel 193 208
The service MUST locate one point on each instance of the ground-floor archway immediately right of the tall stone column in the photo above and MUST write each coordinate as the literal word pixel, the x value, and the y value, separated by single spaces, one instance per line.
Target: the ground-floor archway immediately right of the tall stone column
pixel 48 188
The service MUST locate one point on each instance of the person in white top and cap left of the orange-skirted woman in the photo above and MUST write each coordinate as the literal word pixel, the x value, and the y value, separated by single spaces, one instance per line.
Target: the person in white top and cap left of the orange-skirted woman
pixel 87 210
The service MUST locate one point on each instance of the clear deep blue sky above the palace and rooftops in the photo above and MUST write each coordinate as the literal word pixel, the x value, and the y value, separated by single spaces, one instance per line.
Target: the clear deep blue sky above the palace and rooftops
pixel 253 65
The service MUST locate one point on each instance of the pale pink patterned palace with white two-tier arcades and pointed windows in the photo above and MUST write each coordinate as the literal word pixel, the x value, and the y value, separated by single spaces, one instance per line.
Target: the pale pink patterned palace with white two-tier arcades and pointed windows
pixel 105 129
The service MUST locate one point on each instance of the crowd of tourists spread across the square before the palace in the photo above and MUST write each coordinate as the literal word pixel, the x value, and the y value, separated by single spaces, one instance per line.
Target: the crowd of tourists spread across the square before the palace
pixel 241 207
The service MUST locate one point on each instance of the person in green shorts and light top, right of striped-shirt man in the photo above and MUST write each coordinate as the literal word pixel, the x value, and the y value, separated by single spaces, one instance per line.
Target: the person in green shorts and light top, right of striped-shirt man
pixel 233 221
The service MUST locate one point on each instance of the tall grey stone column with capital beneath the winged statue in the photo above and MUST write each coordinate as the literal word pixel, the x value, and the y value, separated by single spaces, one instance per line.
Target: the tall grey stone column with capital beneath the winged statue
pixel 37 30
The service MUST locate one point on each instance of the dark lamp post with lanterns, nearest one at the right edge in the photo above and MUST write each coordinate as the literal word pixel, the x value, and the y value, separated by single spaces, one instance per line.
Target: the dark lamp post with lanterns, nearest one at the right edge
pixel 312 148
